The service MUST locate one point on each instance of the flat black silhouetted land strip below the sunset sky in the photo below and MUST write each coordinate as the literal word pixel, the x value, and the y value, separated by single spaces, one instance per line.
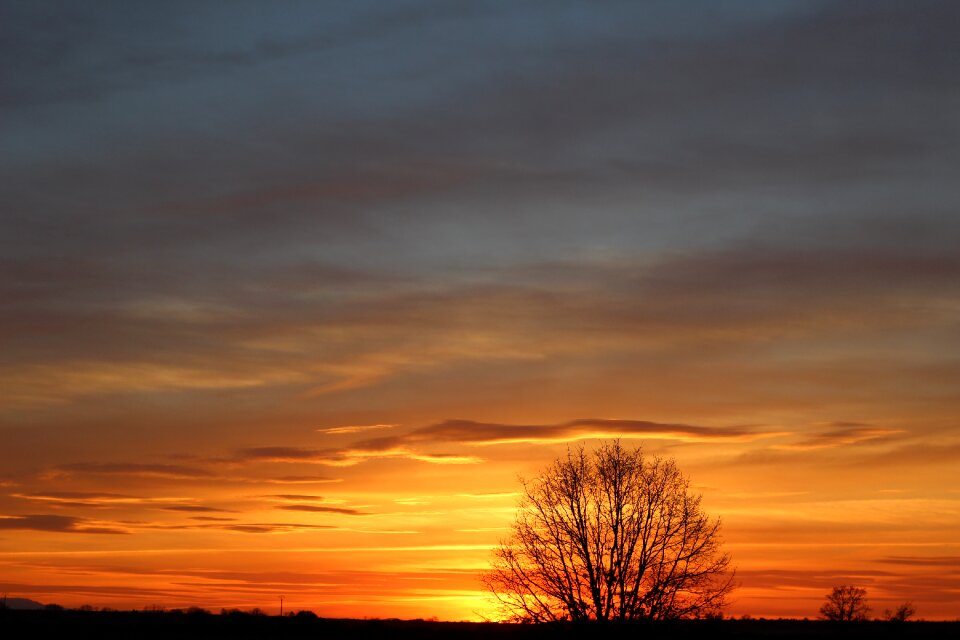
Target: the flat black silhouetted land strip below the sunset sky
pixel 70 624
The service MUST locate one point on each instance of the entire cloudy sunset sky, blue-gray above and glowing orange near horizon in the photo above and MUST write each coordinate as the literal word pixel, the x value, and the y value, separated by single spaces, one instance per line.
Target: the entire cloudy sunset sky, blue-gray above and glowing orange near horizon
pixel 292 294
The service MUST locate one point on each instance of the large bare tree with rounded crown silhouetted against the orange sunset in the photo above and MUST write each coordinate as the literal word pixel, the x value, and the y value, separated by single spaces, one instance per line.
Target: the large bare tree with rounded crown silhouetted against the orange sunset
pixel 610 535
